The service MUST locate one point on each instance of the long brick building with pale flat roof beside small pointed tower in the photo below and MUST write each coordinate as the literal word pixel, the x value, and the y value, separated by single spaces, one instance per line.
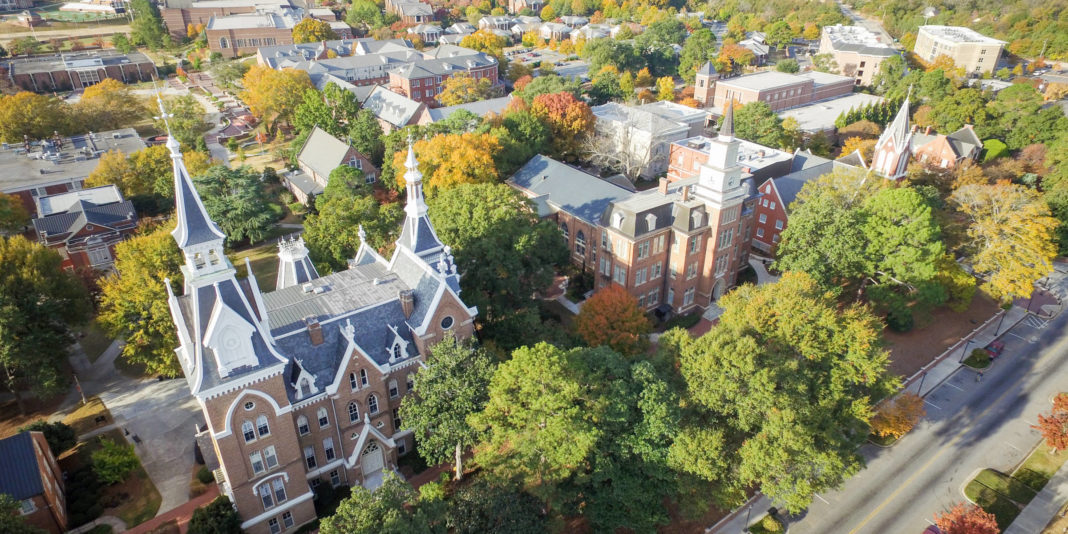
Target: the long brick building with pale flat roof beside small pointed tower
pixel 781 90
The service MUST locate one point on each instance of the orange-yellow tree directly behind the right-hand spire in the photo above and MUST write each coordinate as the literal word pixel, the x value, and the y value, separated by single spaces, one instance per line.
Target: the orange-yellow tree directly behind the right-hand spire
pixel 449 161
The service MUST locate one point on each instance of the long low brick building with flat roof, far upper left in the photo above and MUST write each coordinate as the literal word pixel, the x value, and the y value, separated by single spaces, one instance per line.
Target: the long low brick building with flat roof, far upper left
pixel 75 71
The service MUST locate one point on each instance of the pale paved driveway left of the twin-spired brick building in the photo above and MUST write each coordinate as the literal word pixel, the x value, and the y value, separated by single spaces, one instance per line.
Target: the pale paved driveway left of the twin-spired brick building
pixel 162 414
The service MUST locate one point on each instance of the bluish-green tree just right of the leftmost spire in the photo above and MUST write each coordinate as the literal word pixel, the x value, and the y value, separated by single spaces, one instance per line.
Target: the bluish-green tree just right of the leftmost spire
pixel 237 200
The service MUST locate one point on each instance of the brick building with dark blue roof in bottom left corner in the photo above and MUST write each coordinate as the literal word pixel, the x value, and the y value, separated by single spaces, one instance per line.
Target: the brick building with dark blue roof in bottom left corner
pixel 30 476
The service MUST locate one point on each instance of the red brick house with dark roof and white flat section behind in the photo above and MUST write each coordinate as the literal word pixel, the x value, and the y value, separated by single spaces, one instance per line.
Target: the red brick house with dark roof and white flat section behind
pixel 86 226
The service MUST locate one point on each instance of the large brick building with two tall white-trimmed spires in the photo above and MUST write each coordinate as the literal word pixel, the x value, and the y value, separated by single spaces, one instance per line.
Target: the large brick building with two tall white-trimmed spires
pixel 302 386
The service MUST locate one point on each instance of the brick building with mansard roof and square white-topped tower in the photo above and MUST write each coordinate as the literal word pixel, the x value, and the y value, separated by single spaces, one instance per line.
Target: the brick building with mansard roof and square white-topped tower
pixel 677 248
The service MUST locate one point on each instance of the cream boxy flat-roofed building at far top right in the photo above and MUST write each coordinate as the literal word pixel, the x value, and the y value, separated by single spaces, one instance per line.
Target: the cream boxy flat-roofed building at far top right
pixel 971 51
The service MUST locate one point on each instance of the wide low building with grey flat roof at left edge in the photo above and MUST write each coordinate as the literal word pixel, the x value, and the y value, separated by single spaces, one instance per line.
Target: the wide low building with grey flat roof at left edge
pixel 58 165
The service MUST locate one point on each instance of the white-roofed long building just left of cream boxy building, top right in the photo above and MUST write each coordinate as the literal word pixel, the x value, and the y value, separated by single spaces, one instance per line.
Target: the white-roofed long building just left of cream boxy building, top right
pixel 857 51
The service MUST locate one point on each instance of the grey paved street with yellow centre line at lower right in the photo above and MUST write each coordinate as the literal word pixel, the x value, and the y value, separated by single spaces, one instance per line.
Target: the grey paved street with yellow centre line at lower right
pixel 970 426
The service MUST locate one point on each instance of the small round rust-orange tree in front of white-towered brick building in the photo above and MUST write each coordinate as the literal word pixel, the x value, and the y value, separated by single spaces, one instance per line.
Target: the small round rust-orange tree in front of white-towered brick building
pixel 612 318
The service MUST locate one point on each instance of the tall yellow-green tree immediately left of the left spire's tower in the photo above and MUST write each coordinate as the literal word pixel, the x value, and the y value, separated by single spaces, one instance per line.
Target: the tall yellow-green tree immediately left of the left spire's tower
pixel 134 300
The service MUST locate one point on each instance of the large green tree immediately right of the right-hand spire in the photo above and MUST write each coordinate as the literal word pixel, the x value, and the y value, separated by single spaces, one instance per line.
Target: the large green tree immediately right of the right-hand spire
pixel 494 230
